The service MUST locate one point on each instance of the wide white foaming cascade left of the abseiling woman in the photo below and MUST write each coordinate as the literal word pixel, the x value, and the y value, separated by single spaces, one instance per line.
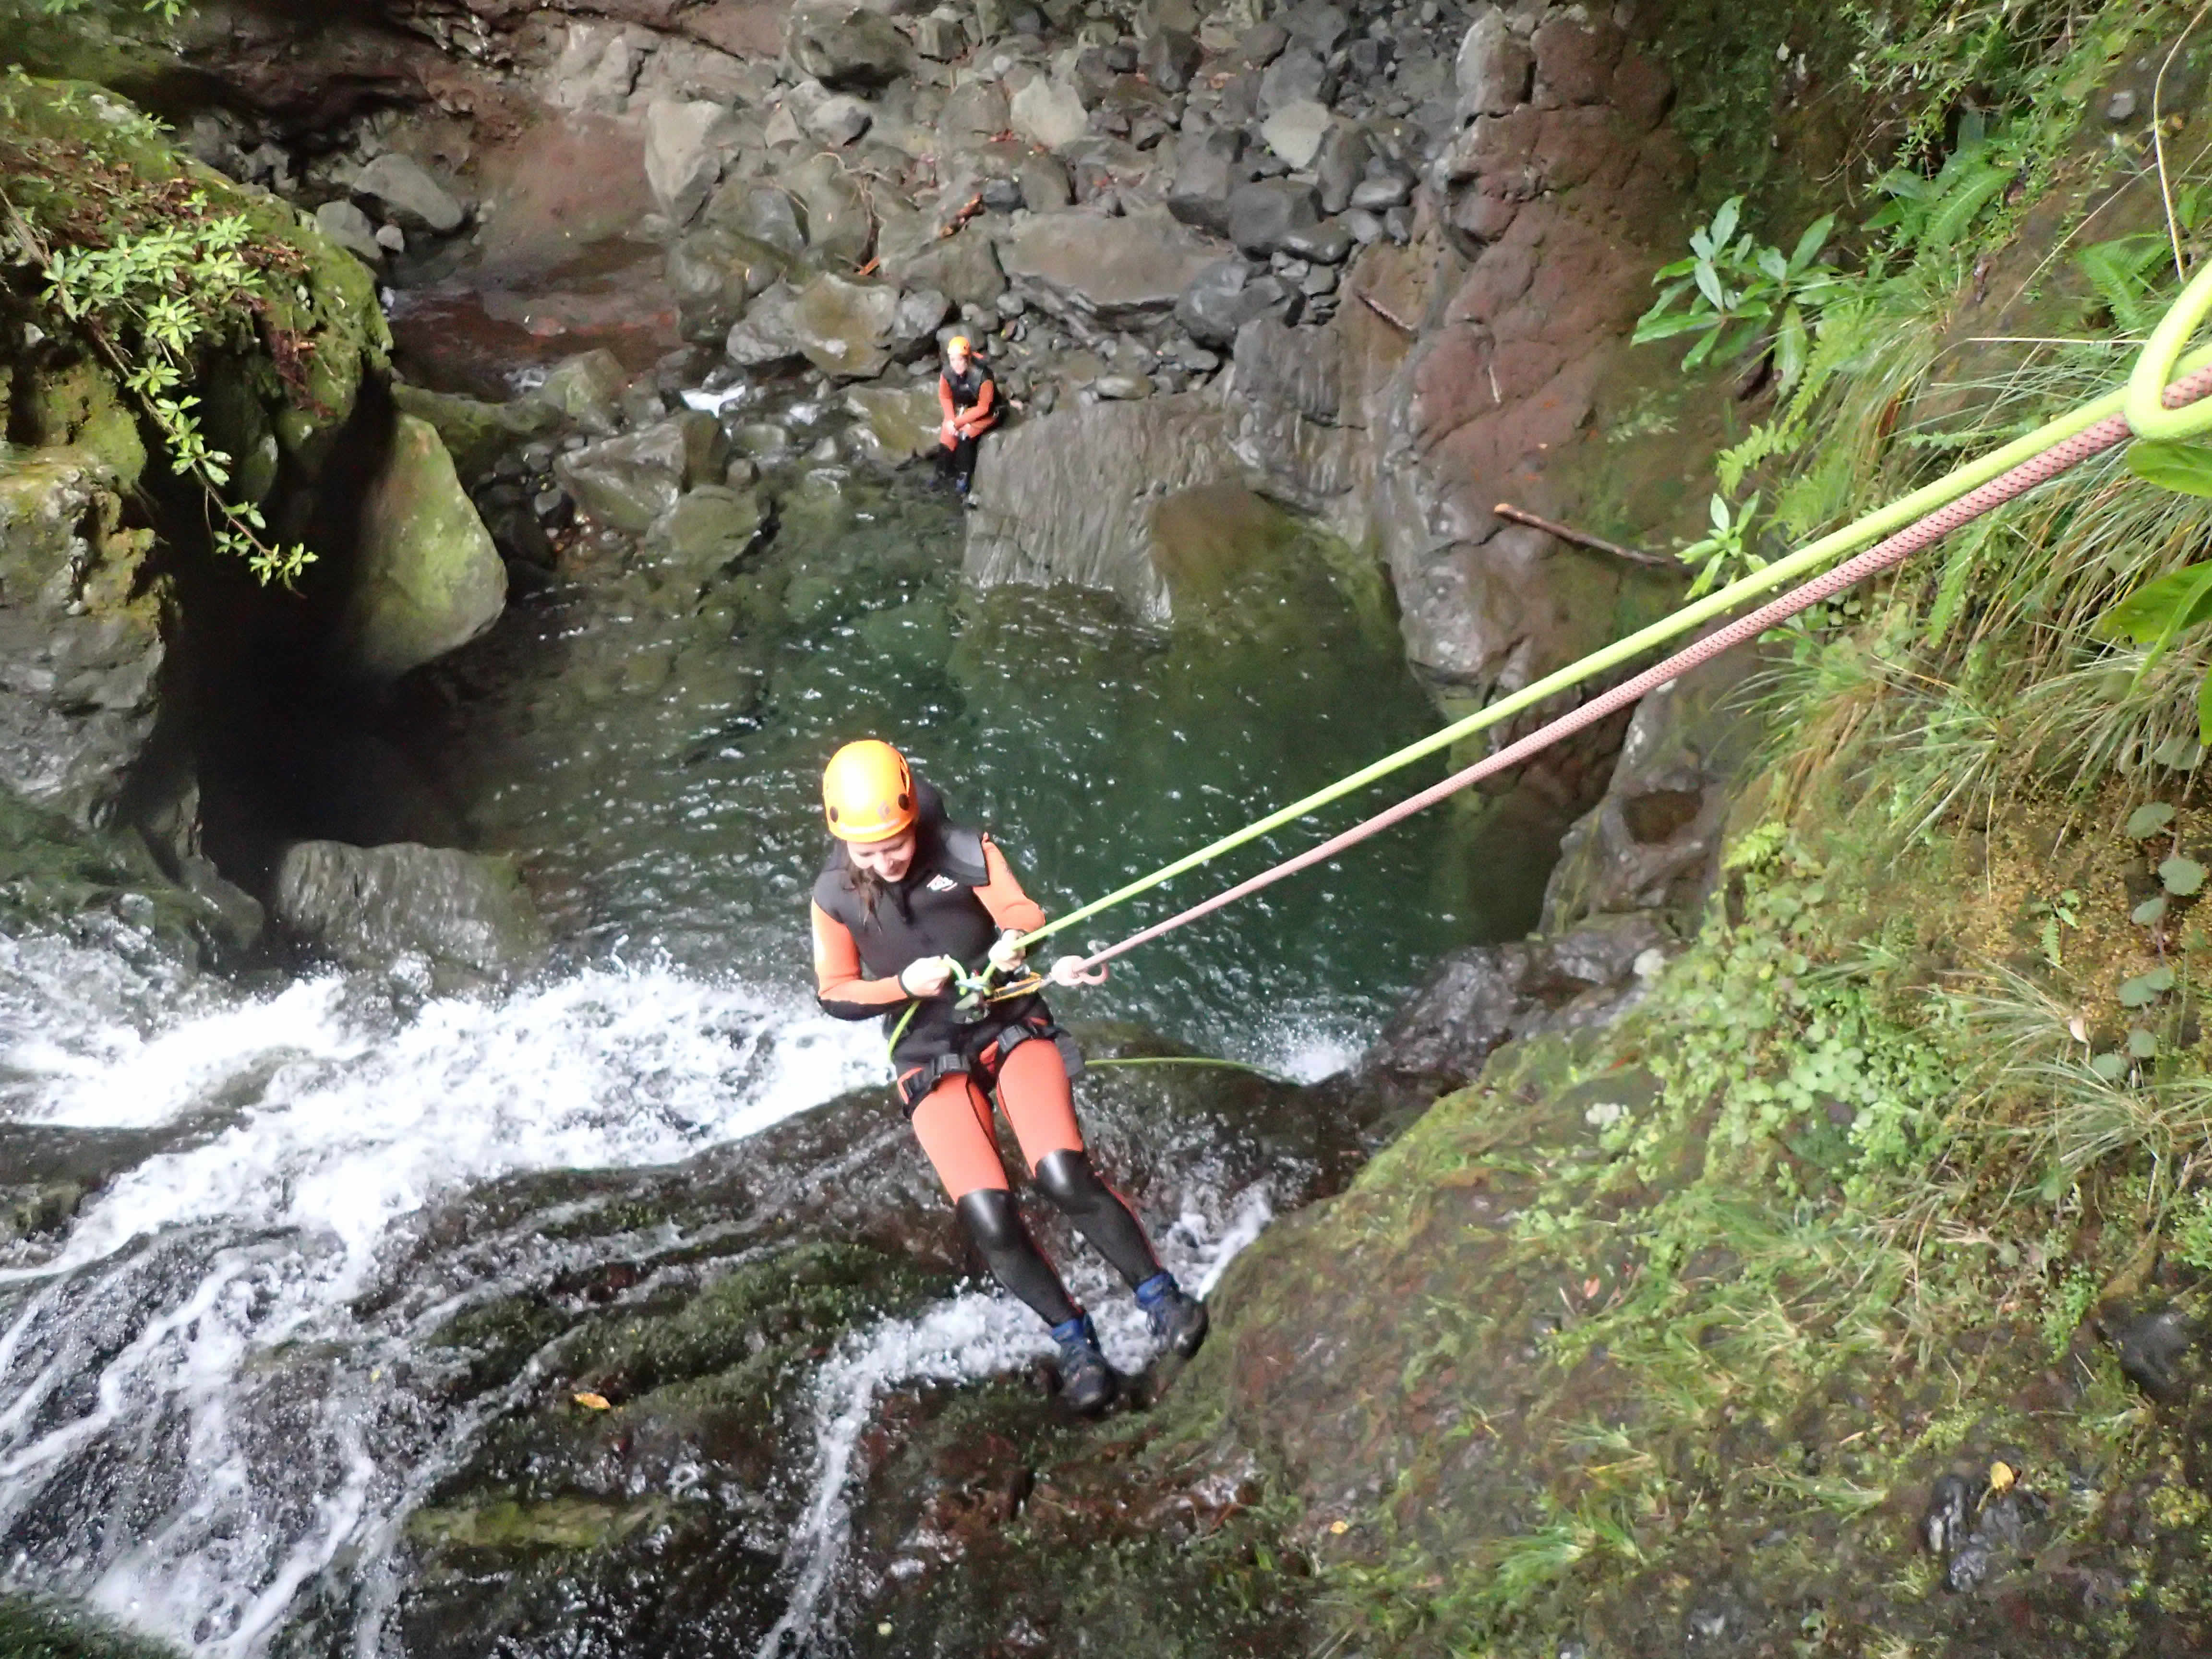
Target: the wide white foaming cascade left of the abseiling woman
pixel 331 1120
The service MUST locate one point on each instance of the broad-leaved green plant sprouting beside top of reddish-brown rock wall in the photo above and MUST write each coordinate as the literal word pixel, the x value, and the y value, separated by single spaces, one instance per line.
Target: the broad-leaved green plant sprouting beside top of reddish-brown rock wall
pixel 1744 295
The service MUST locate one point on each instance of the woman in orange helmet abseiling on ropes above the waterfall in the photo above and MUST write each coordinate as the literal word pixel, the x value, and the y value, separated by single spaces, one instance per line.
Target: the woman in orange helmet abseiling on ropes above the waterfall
pixel 904 901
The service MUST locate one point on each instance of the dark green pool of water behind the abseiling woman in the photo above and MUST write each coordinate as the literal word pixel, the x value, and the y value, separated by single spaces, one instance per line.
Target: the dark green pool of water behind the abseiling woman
pixel 649 740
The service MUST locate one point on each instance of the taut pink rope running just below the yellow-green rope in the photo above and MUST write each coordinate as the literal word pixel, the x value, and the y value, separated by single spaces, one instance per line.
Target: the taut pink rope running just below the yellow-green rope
pixel 2041 470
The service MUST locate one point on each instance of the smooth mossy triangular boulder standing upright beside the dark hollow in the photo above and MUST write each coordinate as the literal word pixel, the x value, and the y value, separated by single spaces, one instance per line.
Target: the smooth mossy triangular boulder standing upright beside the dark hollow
pixel 428 576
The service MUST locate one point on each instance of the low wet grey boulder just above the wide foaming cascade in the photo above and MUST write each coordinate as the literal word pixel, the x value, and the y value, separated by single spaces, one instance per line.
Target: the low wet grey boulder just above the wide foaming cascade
pixel 373 906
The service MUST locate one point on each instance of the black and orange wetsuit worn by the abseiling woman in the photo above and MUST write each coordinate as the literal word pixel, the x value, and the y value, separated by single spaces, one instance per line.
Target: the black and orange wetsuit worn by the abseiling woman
pixel 954 901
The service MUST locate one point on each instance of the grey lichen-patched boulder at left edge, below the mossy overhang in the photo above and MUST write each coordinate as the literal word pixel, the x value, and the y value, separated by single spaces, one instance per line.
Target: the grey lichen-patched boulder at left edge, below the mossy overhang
pixel 81 636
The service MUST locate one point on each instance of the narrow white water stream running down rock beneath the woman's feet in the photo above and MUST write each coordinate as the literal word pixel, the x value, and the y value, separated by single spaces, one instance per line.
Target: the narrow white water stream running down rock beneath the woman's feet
pixel 957 1342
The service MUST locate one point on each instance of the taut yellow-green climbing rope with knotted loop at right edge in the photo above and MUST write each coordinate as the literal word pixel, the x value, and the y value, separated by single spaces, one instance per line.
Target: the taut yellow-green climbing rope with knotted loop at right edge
pixel 2140 401
